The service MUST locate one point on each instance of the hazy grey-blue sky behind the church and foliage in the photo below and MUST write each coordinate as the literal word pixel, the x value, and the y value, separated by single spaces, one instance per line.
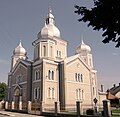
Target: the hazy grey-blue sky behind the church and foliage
pixel 23 19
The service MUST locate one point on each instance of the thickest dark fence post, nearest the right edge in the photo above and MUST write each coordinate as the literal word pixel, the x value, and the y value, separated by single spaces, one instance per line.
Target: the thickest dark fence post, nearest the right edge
pixel 106 107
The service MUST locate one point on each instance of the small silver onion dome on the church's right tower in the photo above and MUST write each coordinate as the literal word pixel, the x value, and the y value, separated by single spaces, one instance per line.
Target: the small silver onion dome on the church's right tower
pixel 83 48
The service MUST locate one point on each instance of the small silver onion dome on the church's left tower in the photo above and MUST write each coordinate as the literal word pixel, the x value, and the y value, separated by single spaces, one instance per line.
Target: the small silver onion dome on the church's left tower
pixel 19 50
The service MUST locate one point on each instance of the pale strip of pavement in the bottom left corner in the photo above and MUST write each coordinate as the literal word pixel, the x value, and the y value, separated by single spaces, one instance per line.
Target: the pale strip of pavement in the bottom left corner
pixel 4 113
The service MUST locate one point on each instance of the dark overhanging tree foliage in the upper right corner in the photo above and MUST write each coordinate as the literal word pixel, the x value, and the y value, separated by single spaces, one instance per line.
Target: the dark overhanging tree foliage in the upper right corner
pixel 104 15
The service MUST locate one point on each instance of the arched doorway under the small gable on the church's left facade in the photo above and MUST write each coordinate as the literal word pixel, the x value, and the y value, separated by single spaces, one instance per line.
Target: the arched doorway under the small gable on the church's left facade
pixel 17 98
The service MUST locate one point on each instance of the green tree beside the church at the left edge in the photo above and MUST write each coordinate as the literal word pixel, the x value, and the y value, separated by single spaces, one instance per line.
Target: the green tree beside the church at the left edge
pixel 3 89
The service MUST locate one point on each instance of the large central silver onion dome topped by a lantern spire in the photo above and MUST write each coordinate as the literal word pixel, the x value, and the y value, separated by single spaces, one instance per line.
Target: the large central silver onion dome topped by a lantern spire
pixel 49 29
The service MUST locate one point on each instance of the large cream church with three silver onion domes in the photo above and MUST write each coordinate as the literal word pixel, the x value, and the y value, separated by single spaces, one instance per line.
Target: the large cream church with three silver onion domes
pixel 52 76
